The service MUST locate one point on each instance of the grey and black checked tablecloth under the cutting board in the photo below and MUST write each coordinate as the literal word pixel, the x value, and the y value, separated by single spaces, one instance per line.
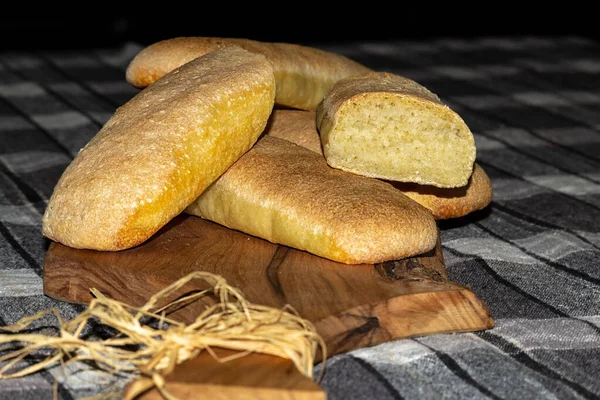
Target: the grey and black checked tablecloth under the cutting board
pixel 533 257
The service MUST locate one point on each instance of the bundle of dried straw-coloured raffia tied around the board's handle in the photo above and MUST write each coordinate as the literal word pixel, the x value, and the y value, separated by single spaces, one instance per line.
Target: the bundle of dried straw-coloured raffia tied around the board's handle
pixel 231 323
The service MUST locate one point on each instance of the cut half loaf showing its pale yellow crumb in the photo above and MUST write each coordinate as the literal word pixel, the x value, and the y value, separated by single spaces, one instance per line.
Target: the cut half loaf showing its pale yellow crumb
pixel 389 127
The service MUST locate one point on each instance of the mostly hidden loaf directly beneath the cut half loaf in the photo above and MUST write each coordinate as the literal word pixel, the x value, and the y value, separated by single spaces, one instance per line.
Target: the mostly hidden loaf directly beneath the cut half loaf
pixel 300 127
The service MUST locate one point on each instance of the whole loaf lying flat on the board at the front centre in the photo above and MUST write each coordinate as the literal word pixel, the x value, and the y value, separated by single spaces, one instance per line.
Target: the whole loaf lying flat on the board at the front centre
pixel 287 194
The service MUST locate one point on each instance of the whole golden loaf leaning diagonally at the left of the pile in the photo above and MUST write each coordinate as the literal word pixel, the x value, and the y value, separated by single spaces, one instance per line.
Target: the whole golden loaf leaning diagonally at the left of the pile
pixel 160 150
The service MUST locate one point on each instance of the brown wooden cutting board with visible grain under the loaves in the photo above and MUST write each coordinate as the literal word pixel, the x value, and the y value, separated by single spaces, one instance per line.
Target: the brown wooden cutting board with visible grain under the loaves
pixel 351 306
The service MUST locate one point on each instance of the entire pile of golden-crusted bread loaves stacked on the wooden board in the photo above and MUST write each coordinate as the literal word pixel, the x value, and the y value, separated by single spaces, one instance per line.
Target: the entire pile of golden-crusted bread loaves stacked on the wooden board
pixel 356 168
